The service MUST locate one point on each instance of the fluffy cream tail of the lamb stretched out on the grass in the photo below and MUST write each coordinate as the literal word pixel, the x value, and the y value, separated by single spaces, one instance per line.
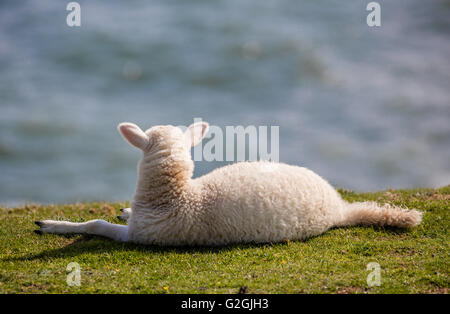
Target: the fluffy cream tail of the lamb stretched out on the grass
pixel 370 213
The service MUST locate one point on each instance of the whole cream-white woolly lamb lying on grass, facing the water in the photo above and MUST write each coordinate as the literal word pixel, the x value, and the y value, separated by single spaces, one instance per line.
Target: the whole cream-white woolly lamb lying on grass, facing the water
pixel 257 202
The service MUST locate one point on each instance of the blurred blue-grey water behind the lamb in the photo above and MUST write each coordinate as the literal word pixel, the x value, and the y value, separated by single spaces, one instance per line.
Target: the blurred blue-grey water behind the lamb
pixel 366 108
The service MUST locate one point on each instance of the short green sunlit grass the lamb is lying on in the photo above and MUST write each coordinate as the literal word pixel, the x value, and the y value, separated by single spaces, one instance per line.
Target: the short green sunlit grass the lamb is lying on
pixel 413 261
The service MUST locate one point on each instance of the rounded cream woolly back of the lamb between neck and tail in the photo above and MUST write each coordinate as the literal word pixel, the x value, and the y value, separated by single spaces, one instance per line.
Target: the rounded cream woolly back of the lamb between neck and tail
pixel 267 202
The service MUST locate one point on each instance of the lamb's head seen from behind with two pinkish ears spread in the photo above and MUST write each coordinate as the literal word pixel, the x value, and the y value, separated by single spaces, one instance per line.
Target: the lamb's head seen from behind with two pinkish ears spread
pixel 166 148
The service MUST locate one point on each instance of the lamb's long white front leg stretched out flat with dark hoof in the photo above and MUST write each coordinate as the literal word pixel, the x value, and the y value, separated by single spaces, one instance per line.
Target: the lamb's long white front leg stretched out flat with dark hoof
pixel 95 227
